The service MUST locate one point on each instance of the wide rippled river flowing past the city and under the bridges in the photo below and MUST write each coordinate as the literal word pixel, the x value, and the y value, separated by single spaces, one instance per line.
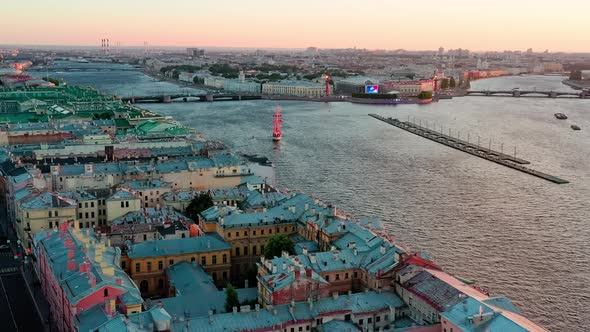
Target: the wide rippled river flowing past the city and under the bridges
pixel 516 234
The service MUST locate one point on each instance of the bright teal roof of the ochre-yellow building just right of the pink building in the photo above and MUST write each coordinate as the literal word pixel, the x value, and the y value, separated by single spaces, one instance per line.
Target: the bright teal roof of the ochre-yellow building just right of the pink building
pixel 204 243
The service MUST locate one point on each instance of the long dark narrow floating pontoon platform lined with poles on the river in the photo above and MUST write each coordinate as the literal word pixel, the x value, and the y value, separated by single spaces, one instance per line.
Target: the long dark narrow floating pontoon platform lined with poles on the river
pixel 491 155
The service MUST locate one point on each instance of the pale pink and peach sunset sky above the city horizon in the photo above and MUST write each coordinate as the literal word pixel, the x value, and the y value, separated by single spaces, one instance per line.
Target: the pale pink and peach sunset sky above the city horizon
pixel 386 24
